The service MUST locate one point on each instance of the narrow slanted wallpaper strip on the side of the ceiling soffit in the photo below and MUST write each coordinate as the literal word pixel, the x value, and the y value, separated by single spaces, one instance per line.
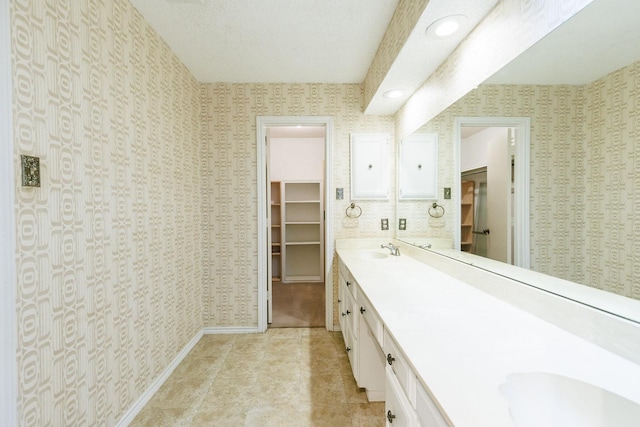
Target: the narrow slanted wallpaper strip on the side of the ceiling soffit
pixel 403 21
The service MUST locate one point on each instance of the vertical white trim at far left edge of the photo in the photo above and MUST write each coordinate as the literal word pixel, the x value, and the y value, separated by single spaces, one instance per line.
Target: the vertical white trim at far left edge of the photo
pixel 8 321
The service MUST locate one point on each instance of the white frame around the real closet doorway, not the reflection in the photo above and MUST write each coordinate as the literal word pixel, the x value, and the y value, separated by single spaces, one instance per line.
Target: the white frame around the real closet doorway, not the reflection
pixel 262 123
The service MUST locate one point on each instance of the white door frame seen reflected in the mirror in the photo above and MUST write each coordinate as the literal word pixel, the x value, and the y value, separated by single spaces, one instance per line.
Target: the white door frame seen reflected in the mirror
pixel 522 183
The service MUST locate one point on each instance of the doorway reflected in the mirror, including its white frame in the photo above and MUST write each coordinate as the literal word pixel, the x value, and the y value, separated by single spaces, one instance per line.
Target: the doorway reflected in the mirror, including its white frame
pixel 493 220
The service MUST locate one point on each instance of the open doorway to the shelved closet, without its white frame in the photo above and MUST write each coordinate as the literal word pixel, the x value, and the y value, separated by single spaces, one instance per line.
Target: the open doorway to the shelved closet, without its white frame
pixel 295 169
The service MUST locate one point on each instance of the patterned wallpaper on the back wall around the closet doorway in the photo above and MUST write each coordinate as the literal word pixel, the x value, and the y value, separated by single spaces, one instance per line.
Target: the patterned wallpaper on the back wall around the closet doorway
pixel 230 224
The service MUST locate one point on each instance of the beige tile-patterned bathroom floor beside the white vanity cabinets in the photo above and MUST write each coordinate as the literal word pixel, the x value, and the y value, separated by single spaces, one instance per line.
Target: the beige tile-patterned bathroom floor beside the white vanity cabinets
pixel 284 377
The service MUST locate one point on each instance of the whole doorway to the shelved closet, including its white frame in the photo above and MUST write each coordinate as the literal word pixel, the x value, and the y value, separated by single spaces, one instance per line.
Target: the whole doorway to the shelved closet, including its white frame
pixel 293 271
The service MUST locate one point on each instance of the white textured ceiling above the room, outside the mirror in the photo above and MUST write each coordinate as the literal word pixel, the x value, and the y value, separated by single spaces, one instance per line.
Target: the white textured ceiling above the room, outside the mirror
pixel 323 41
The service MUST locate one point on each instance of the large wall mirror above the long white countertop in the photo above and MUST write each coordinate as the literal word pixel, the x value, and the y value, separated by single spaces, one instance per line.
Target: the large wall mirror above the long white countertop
pixel 580 88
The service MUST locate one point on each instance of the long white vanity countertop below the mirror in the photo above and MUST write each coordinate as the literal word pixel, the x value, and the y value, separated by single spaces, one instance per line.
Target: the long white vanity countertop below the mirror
pixel 463 343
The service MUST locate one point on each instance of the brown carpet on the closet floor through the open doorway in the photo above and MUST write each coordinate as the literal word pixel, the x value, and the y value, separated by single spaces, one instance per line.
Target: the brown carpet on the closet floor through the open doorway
pixel 298 305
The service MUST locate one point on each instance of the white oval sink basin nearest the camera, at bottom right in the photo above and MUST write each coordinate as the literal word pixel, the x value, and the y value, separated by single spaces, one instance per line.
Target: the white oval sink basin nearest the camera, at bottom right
pixel 545 399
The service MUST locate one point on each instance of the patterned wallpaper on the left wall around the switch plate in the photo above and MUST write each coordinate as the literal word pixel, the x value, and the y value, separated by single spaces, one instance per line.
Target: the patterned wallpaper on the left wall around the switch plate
pixel 108 249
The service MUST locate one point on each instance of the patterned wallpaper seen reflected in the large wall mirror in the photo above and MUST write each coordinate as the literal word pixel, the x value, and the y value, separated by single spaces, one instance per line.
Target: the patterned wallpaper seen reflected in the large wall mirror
pixel 584 174
